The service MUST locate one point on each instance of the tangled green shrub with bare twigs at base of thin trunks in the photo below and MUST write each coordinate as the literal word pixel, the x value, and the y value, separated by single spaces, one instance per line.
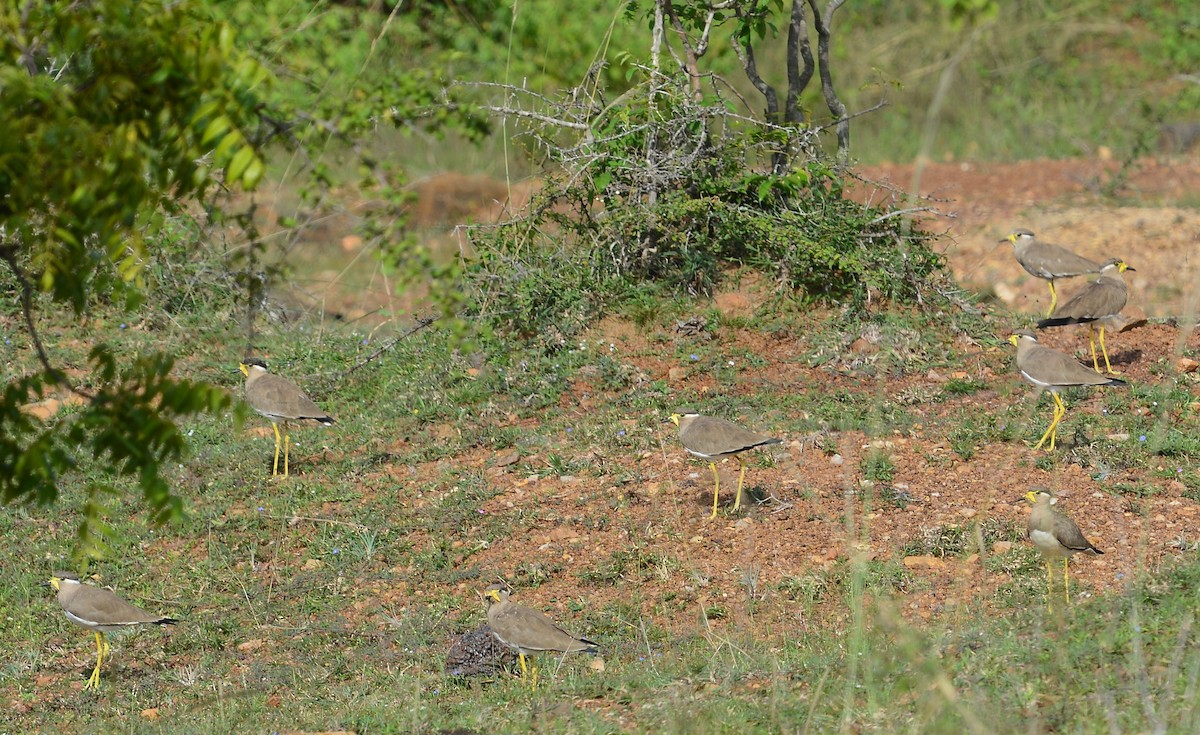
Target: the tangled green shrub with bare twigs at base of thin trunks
pixel 687 193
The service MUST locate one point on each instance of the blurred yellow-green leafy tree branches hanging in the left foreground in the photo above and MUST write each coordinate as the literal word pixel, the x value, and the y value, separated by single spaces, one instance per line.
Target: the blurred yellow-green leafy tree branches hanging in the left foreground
pixel 111 112
